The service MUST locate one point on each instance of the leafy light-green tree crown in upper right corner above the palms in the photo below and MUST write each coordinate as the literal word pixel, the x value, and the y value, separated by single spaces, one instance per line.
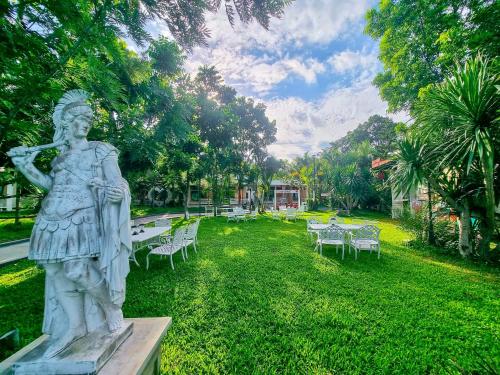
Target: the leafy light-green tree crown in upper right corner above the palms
pixel 420 41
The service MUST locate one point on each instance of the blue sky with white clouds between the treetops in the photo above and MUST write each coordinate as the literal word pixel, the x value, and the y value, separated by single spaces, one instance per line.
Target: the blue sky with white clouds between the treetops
pixel 313 69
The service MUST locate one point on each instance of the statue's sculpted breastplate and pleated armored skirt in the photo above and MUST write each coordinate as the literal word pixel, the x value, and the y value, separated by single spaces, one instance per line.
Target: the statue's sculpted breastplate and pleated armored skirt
pixel 67 226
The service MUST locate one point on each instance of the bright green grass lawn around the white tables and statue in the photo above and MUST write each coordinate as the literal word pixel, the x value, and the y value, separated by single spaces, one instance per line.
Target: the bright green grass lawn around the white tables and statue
pixel 257 299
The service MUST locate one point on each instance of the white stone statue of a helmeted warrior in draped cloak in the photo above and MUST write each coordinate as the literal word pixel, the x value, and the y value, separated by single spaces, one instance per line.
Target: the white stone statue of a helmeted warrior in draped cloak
pixel 82 233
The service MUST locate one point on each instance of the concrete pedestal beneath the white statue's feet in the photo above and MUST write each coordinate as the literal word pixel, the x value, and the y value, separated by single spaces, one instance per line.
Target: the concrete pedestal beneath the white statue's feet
pixel 137 354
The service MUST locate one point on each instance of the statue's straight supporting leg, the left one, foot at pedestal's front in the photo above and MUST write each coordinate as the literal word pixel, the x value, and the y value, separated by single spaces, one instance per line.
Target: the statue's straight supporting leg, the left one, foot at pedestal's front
pixel 71 300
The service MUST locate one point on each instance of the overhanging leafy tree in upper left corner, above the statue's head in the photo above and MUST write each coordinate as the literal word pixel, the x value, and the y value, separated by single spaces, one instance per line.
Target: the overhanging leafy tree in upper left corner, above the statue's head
pixel 47 47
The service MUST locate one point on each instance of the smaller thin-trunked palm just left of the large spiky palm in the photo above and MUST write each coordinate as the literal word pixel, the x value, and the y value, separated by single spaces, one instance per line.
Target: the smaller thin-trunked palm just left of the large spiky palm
pixel 410 171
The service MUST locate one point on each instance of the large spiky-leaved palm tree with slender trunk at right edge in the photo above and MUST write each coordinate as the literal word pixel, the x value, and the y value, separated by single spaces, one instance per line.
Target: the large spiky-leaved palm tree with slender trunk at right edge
pixel 462 113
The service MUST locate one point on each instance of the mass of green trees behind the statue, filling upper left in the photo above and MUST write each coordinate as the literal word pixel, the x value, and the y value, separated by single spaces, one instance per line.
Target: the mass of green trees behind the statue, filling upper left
pixel 146 106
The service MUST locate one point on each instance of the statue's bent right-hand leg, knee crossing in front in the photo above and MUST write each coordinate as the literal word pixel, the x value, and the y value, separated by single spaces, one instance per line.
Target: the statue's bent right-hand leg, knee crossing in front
pixel 88 278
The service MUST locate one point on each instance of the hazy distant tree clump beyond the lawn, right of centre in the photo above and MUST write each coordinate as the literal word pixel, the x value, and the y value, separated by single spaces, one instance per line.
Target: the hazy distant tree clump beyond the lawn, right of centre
pixel 343 171
